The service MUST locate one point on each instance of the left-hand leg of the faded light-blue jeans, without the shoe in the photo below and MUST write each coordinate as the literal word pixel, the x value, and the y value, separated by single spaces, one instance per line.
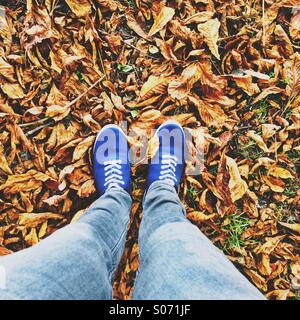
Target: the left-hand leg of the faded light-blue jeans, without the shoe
pixel 77 261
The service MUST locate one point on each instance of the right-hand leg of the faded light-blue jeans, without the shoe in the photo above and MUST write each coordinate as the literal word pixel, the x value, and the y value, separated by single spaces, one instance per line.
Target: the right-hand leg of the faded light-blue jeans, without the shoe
pixel 177 260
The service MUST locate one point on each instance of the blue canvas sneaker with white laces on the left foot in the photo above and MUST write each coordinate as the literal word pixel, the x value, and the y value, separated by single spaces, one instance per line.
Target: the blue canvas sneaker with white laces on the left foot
pixel 111 161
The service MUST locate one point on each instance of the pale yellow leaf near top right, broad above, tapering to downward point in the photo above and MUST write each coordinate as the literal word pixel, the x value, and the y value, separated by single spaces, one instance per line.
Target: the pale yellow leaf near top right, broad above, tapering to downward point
pixel 210 32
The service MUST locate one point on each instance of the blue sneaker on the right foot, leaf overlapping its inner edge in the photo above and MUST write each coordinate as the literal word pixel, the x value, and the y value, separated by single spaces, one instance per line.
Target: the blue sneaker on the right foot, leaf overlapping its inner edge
pixel 168 163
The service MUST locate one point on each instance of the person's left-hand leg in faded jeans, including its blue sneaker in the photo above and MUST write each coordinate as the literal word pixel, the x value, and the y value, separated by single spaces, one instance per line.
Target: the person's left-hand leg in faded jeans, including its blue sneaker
pixel 78 261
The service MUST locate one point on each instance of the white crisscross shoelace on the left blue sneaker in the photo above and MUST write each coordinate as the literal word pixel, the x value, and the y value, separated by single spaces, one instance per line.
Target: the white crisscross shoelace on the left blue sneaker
pixel 113 174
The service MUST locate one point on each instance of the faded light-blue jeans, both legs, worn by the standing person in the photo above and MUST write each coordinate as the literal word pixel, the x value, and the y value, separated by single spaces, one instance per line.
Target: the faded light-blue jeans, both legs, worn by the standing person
pixel 78 261
